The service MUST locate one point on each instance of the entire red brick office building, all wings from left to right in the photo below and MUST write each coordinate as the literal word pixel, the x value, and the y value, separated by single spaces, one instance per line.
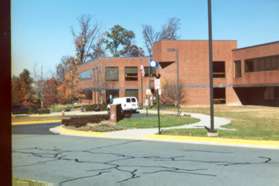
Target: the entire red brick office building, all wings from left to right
pixel 241 75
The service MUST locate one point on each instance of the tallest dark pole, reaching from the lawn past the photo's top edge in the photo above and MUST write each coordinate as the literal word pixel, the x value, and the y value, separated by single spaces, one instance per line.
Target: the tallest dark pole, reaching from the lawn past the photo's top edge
pixel 210 60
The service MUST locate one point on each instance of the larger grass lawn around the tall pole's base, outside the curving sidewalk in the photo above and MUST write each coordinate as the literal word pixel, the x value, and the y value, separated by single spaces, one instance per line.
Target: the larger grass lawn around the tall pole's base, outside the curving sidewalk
pixel 250 122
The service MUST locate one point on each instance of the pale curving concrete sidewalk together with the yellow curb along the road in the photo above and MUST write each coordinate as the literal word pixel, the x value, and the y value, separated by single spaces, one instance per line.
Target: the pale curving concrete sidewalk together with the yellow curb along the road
pixel 152 134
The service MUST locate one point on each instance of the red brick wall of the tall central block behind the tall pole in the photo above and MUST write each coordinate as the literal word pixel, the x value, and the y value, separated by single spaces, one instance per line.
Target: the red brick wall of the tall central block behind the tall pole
pixel 193 66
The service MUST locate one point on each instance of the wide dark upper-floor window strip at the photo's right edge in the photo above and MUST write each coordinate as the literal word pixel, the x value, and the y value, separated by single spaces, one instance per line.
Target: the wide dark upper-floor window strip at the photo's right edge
pixel 262 64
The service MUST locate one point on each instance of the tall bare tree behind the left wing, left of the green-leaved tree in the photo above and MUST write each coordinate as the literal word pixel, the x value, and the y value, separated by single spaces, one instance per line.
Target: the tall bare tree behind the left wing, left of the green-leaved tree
pixel 85 39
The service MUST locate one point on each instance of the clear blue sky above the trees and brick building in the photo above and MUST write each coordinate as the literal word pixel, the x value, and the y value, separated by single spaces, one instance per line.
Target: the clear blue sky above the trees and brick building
pixel 41 29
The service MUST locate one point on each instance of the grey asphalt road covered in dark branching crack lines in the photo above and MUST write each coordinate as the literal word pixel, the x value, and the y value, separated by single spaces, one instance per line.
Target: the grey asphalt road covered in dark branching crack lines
pixel 66 160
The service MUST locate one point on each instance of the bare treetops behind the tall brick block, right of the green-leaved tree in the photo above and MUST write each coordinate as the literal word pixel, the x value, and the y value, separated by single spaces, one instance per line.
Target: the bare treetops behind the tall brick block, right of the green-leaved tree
pixel 169 31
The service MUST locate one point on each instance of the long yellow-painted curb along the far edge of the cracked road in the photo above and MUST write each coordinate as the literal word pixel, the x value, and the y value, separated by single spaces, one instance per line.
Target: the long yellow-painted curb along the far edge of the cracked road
pixel 264 144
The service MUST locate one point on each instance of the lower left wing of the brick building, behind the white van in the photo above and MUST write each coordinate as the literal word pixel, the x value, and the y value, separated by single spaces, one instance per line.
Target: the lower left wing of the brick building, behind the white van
pixel 112 76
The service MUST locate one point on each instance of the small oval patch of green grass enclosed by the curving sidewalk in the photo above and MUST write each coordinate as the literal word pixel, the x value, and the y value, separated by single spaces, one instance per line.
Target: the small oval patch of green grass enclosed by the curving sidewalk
pixel 150 121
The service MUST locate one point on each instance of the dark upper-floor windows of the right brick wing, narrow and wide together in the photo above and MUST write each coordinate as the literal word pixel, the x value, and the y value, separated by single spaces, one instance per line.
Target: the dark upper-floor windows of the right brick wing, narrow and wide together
pixel 257 64
